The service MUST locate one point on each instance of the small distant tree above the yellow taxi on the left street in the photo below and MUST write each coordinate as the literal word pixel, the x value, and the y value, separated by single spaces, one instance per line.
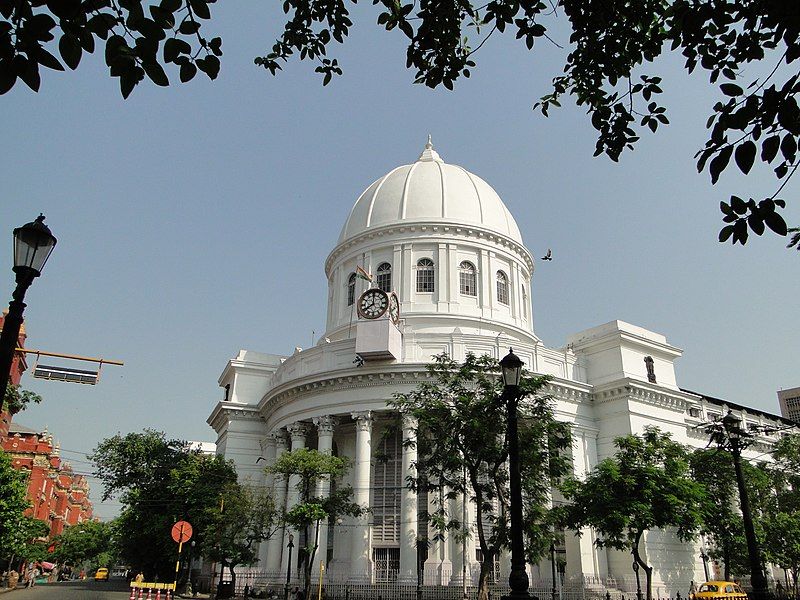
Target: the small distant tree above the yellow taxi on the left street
pixel 87 542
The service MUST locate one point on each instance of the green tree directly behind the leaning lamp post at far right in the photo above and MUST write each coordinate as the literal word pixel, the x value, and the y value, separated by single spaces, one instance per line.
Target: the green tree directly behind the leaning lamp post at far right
pixel 721 516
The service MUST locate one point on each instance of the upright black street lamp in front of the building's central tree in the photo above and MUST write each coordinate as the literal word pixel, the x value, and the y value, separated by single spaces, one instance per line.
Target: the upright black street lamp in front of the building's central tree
pixel 511 368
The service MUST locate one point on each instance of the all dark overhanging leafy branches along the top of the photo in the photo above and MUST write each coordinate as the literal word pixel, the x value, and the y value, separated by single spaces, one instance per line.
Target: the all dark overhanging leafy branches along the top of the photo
pixel 609 45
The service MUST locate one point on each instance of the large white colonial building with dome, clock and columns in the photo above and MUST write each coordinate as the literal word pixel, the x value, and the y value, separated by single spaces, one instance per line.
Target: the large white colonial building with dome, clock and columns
pixel 457 278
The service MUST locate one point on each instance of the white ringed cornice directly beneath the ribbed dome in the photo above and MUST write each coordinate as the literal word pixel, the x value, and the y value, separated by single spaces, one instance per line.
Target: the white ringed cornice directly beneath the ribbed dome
pixel 442 229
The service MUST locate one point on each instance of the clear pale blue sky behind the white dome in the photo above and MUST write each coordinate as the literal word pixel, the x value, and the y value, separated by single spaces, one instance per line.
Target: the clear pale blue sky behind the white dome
pixel 194 221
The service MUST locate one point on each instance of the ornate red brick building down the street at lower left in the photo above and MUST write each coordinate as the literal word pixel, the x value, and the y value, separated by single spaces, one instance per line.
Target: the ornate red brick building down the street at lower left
pixel 58 495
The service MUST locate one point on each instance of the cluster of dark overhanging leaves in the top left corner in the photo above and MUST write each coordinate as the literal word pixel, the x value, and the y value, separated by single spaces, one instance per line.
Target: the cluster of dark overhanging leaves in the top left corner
pixel 36 33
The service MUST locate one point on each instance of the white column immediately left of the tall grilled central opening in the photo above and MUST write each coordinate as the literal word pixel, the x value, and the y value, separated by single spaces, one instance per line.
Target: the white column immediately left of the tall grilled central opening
pixel 361 565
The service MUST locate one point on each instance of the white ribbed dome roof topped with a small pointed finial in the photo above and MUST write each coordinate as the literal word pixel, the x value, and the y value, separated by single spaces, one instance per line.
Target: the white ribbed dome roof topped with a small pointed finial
pixel 430 190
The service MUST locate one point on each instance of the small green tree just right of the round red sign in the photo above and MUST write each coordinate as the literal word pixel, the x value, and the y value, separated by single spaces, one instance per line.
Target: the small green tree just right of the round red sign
pixel 244 516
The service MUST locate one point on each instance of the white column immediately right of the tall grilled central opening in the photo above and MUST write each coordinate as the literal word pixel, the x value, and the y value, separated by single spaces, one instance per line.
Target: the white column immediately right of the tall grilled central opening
pixel 408 508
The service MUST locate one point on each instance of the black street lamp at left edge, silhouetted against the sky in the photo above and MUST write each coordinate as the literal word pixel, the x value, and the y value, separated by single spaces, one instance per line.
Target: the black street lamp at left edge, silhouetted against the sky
pixel 33 244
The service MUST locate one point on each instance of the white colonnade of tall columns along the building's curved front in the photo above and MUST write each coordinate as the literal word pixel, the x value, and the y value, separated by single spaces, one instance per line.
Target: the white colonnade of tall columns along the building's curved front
pixel 448 562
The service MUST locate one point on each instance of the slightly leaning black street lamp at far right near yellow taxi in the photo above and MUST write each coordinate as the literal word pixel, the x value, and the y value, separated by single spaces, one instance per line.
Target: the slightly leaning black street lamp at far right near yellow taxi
pixel 735 439
